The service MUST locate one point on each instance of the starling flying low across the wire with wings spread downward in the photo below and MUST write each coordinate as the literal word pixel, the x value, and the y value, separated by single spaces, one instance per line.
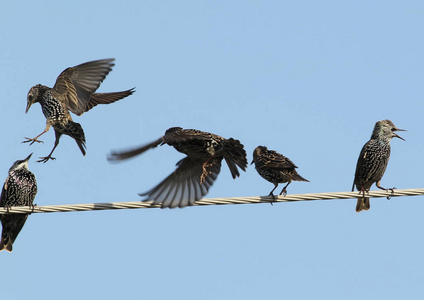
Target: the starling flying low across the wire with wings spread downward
pixel 195 173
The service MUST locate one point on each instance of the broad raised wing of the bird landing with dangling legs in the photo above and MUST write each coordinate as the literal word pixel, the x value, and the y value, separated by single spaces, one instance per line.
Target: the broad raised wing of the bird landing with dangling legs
pixel 75 85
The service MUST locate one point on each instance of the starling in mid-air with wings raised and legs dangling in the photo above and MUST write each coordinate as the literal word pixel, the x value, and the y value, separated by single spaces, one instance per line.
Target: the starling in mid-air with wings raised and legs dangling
pixel 73 91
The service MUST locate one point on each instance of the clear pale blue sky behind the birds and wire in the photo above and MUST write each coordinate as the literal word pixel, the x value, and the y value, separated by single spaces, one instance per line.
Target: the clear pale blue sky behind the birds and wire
pixel 306 78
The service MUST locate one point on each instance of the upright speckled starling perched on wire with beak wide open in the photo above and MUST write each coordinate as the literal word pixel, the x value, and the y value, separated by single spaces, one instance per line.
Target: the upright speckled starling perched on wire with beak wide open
pixel 373 160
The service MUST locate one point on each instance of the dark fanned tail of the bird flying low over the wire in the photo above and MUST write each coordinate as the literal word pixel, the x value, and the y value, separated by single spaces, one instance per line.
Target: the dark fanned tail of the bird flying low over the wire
pixel 235 155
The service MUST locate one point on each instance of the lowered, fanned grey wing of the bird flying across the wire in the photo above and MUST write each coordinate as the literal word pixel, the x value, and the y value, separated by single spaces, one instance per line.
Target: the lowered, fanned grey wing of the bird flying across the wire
pixel 183 187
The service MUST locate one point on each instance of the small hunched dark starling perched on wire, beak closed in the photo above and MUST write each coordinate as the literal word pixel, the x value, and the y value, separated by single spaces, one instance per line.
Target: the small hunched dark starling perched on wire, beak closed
pixel 275 168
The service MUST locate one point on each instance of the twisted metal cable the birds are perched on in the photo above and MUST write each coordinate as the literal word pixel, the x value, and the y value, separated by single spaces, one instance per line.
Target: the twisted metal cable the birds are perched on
pixel 209 201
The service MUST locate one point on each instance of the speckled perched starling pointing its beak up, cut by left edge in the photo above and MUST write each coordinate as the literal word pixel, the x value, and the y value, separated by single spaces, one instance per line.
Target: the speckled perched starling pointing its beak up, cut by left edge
pixel 19 189
